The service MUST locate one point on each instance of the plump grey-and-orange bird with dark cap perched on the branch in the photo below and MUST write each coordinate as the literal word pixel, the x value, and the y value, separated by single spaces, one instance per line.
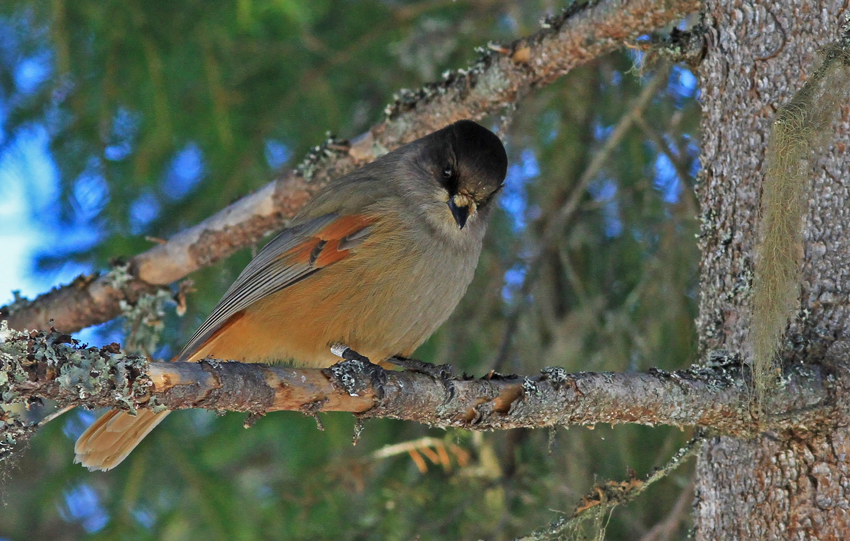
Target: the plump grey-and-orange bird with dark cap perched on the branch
pixel 376 261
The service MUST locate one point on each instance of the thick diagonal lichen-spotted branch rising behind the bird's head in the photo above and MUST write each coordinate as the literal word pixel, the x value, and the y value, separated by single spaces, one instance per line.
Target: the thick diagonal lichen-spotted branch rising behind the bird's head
pixel 501 77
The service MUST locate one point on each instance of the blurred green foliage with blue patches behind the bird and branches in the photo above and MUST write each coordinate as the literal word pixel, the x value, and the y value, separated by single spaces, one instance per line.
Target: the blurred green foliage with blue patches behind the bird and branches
pixel 135 94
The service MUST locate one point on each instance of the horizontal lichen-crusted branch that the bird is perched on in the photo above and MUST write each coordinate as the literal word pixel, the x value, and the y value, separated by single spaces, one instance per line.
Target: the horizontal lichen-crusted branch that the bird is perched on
pixel 51 365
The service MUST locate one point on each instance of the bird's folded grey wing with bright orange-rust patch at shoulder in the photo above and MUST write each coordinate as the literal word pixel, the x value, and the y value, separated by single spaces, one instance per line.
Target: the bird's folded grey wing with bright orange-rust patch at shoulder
pixel 290 257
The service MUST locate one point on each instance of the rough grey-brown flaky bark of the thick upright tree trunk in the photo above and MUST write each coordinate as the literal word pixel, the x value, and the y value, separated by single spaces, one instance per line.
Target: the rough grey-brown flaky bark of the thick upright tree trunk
pixel 783 485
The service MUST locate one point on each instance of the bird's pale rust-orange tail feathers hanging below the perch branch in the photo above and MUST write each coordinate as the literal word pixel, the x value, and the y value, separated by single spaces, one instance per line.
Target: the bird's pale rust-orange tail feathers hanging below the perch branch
pixel 110 439
